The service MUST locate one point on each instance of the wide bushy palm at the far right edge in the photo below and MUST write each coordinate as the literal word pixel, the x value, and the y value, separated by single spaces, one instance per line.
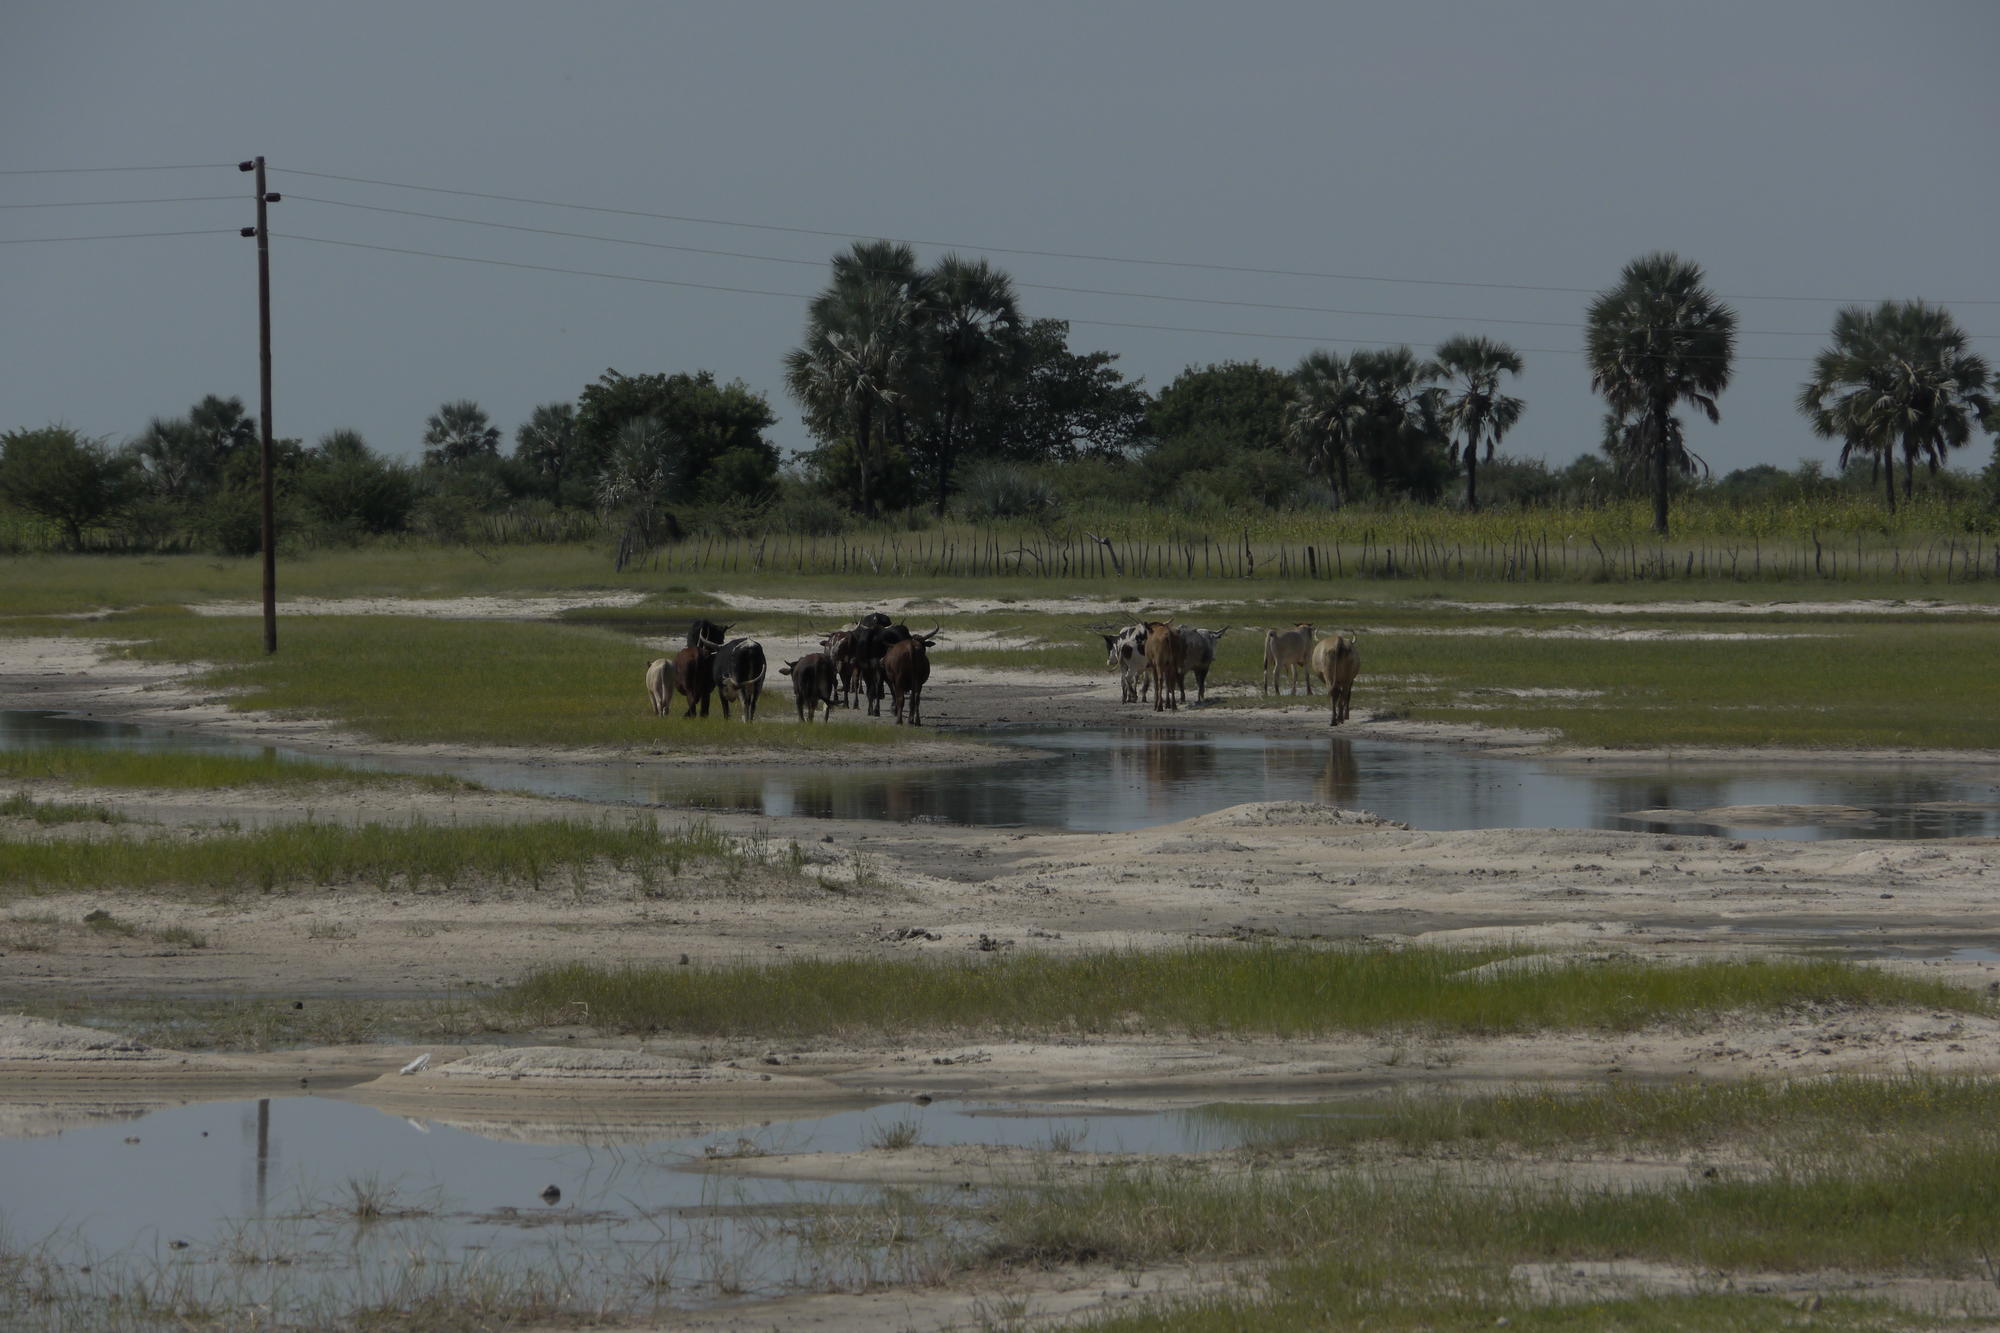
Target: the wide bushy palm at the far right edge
pixel 1901 375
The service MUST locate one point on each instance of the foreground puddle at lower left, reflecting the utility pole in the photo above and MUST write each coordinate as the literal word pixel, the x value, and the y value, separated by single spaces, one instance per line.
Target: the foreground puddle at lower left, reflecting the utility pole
pixel 263 1202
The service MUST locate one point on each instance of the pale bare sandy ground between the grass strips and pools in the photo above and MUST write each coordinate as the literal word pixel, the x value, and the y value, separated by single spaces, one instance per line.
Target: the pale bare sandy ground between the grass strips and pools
pixel 881 890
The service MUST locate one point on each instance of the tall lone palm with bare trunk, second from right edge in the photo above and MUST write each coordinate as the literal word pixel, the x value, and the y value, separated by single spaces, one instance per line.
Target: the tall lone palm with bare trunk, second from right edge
pixel 1655 341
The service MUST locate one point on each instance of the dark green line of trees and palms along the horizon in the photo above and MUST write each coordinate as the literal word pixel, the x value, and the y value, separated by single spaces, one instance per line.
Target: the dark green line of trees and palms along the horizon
pixel 929 389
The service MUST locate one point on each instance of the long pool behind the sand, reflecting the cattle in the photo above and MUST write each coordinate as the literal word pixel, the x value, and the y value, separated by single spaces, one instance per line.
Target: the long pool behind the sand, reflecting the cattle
pixel 1107 780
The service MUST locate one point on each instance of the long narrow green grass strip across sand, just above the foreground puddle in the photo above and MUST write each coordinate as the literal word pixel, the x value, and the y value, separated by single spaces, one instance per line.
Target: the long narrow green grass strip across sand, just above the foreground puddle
pixel 1285 992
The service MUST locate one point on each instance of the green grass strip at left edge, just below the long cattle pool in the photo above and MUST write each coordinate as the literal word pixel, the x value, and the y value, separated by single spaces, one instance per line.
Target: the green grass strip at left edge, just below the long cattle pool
pixel 545 854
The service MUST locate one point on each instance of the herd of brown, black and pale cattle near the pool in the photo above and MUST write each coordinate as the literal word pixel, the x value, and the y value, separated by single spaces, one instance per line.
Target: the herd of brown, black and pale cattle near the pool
pixel 881 659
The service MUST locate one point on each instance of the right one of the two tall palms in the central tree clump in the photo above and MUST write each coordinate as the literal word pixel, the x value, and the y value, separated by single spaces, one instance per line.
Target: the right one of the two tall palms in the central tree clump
pixel 975 343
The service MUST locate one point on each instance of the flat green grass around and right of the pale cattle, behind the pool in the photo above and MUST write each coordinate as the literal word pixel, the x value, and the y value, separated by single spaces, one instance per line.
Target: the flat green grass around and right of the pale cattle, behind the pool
pixel 1809 680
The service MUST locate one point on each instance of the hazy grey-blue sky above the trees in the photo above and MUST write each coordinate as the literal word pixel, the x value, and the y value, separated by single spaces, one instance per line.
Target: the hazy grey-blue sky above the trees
pixel 1187 183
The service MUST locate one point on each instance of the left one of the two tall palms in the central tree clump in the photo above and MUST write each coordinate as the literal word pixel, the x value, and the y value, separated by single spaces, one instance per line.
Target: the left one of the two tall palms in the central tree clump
pixel 855 369
